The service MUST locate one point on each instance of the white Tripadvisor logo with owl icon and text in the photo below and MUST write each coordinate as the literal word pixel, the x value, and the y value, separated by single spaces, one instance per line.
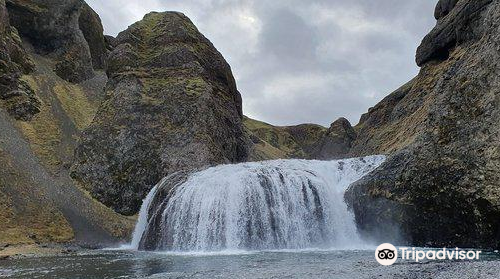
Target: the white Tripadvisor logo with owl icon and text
pixel 387 254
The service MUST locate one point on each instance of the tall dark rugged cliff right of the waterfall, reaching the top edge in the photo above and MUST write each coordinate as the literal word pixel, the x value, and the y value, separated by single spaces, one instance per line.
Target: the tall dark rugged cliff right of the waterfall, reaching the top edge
pixel 441 185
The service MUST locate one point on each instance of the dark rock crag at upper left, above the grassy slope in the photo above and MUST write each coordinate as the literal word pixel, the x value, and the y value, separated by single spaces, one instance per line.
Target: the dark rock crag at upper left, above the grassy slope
pixel 69 31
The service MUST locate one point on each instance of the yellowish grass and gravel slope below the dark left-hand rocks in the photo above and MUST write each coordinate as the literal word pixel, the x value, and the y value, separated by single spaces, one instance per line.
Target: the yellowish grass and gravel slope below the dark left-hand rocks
pixel 34 207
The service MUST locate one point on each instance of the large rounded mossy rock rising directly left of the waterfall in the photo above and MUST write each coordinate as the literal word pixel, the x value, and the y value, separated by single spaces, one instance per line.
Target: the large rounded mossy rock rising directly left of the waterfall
pixel 171 105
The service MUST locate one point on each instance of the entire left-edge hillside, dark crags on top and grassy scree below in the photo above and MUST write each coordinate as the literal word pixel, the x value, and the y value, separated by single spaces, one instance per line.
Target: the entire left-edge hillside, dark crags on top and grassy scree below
pixel 41 115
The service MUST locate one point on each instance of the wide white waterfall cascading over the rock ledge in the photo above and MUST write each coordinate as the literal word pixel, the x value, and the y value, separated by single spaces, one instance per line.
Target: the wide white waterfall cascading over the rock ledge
pixel 282 204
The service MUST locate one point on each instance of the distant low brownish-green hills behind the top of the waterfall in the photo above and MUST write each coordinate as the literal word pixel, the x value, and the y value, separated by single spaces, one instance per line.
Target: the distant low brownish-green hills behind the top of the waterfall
pixel 306 141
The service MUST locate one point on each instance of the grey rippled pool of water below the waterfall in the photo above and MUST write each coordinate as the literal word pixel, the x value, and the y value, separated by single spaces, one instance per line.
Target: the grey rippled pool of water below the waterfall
pixel 282 264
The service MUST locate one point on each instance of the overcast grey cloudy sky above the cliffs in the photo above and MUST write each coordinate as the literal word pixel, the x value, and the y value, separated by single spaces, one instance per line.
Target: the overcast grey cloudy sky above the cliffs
pixel 299 61
